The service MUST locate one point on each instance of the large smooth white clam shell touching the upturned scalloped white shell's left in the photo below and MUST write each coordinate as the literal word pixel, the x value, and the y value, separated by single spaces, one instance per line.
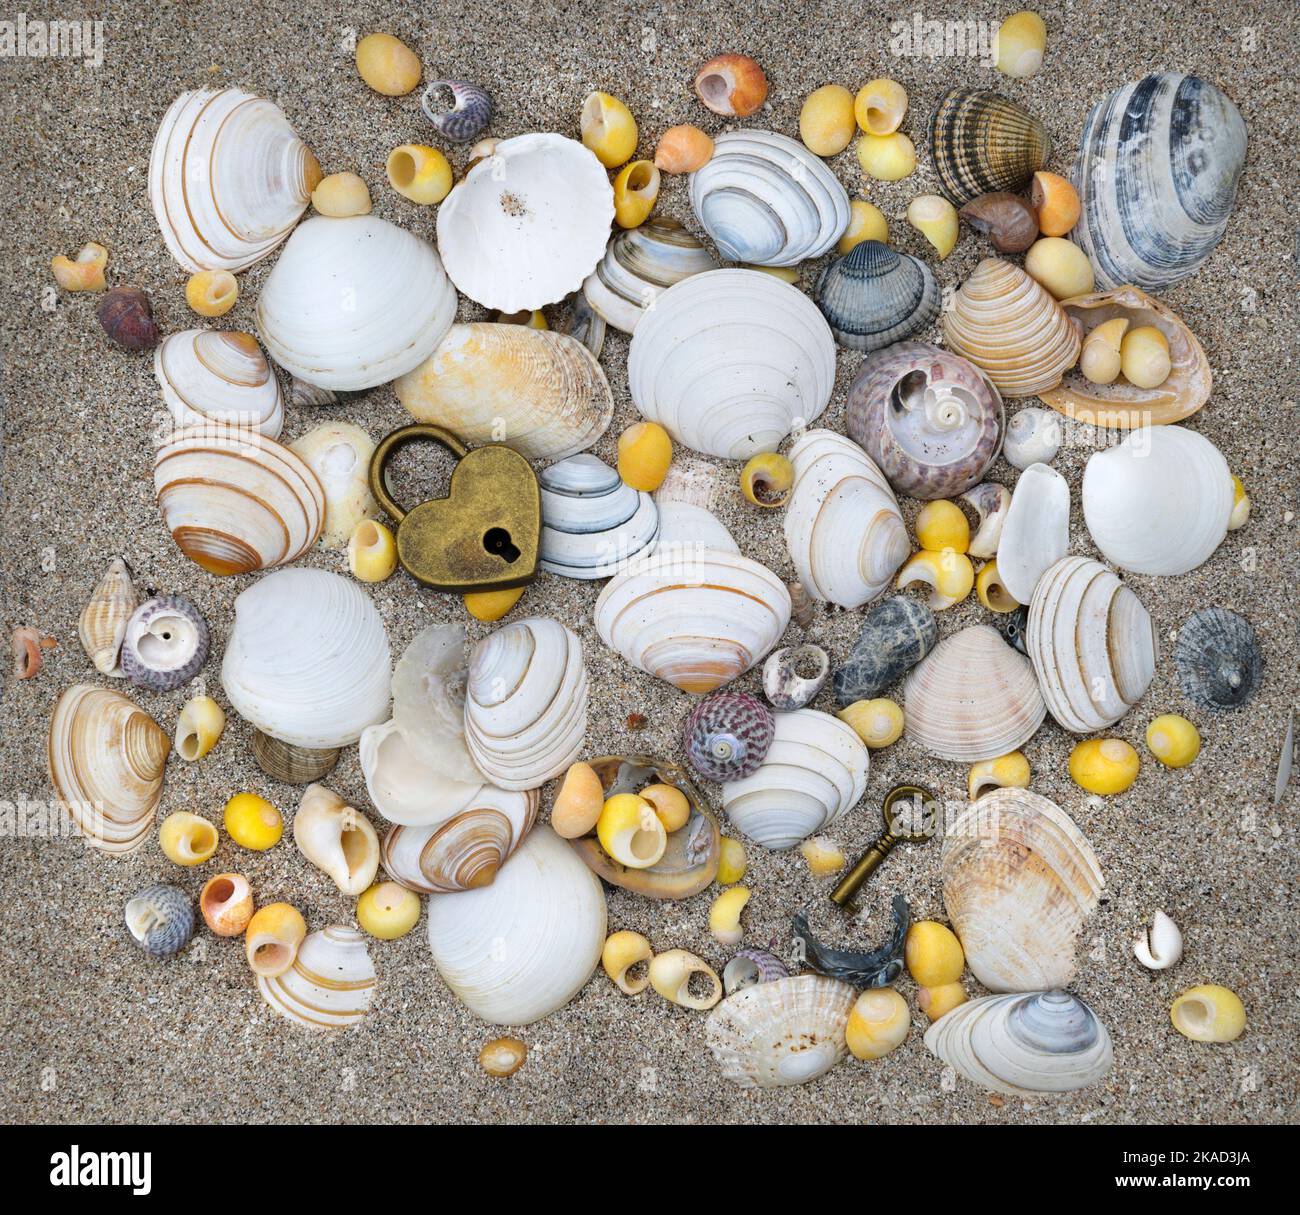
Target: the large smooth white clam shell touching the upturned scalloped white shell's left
pixel 354 303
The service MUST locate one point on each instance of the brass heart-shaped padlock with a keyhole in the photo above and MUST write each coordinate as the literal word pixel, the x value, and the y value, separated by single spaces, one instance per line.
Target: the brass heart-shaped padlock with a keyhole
pixel 484 535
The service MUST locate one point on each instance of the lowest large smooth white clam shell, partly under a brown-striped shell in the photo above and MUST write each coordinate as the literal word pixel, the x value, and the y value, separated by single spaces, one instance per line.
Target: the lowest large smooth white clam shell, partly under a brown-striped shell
pixel 523 948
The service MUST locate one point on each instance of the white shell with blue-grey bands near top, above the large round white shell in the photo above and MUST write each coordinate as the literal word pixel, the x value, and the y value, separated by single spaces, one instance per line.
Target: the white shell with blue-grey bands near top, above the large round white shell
pixel 768 201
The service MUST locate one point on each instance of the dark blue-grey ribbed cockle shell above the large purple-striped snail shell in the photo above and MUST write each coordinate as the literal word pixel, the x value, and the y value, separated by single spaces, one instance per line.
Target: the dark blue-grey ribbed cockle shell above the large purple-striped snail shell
pixel 874 297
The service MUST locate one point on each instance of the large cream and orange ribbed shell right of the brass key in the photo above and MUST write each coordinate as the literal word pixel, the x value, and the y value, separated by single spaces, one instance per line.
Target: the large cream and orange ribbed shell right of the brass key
pixel 1020 880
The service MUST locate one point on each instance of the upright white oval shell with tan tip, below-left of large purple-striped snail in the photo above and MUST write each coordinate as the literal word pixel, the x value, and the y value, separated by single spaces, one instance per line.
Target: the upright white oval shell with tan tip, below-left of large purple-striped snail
pixel 843 527
